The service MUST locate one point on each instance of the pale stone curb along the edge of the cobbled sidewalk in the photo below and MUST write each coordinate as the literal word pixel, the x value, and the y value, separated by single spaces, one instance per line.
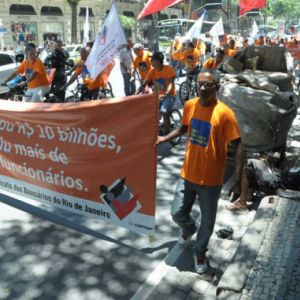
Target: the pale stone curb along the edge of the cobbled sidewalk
pixel 246 252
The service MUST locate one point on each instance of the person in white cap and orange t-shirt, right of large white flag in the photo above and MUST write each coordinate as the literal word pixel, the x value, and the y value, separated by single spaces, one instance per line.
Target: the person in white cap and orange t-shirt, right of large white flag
pixel 141 61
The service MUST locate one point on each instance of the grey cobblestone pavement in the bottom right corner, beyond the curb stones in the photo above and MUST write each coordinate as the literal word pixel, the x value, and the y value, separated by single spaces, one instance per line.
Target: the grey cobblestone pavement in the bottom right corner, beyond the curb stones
pixel 275 273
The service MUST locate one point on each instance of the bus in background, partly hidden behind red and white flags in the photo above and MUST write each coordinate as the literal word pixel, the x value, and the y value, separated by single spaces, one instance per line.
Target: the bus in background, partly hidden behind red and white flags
pixel 167 29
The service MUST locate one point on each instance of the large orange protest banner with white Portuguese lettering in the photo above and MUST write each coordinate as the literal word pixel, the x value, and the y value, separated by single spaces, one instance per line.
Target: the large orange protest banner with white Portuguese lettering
pixel 94 158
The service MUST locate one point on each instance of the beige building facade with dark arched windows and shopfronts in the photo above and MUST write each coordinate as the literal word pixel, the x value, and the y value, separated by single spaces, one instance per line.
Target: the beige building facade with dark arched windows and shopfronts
pixel 33 20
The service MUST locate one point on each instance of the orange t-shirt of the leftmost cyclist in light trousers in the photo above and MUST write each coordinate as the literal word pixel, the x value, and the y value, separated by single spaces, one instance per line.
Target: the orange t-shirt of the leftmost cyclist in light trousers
pixel 27 68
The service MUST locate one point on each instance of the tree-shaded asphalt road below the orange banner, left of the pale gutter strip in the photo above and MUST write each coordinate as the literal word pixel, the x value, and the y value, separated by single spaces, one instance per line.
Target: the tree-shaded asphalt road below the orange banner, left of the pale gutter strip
pixel 64 257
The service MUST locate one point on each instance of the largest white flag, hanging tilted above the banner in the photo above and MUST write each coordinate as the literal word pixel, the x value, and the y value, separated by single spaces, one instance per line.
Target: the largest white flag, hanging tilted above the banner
pixel 109 40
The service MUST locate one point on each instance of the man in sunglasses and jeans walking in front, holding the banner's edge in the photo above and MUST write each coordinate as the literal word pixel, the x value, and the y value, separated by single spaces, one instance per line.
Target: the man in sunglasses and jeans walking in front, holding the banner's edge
pixel 210 126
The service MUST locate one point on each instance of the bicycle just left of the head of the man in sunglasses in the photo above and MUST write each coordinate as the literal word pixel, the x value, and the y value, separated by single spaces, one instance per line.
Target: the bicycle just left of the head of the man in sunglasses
pixel 188 88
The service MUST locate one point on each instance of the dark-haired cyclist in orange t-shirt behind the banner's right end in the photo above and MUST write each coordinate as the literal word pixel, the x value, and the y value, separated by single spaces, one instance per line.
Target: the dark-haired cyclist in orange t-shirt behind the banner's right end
pixel 162 77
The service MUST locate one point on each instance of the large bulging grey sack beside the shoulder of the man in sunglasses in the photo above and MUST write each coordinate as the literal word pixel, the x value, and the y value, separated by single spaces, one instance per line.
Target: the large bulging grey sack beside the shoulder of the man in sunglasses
pixel 264 117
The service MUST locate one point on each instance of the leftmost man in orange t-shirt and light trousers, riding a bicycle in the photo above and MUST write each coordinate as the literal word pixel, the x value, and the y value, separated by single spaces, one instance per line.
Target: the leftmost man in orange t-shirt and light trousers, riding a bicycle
pixel 35 74
